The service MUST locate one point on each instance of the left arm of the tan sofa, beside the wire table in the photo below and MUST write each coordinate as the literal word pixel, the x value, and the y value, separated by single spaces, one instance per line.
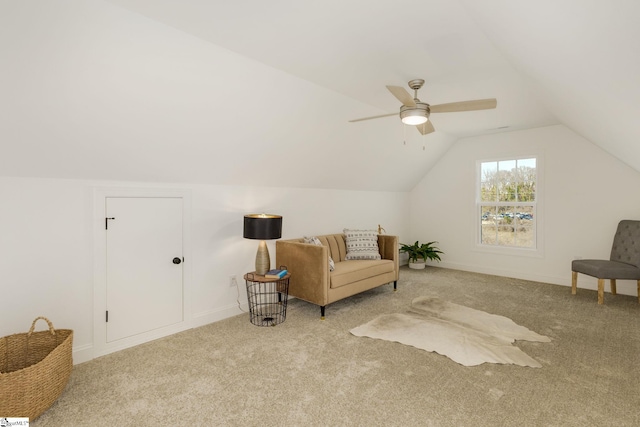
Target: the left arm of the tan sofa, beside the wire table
pixel 309 268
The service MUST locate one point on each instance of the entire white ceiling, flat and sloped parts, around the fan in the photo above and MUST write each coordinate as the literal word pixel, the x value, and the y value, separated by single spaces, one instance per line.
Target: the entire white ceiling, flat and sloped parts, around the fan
pixel 260 93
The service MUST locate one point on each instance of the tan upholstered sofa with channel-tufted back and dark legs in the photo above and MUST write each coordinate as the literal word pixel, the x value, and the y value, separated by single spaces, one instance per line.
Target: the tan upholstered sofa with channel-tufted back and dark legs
pixel 312 281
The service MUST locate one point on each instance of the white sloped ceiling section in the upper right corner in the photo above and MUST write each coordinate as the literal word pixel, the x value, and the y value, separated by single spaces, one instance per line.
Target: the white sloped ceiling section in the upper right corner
pixel 582 57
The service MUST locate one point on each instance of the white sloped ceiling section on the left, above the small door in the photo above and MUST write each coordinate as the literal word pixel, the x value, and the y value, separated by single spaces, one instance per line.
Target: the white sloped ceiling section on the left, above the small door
pixel 100 92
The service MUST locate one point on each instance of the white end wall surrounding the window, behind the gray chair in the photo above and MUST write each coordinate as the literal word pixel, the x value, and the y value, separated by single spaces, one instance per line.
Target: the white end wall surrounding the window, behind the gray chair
pixel 583 195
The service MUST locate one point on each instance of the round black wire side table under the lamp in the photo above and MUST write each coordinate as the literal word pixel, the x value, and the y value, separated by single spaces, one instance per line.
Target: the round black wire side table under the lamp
pixel 267 299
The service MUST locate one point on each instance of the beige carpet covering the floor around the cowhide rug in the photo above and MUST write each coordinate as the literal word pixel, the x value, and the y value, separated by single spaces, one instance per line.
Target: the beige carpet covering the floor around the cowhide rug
pixel 311 372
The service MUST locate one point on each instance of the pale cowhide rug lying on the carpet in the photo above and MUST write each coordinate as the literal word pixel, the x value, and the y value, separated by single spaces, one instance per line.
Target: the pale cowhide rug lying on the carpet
pixel 467 336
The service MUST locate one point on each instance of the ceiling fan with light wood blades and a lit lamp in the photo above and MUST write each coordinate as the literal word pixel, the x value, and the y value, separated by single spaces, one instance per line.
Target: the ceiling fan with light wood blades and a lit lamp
pixel 415 112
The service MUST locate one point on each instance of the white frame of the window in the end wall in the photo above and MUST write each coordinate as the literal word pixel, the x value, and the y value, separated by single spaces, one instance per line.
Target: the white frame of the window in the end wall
pixel 537 249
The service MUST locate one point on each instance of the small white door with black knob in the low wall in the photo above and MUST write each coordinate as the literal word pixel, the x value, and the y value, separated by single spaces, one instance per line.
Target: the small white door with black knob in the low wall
pixel 144 264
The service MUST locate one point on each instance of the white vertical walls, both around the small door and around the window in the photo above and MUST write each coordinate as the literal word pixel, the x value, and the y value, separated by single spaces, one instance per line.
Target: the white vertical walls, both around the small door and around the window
pixel 47 227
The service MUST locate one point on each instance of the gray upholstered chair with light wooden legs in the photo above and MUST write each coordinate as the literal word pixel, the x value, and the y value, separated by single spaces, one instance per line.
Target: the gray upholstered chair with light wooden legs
pixel 623 264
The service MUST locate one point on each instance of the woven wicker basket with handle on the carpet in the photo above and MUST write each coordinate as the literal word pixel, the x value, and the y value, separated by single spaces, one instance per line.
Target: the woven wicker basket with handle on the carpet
pixel 34 370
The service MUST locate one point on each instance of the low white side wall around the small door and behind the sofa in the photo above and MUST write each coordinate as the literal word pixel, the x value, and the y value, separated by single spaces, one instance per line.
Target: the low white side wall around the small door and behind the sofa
pixel 47 241
